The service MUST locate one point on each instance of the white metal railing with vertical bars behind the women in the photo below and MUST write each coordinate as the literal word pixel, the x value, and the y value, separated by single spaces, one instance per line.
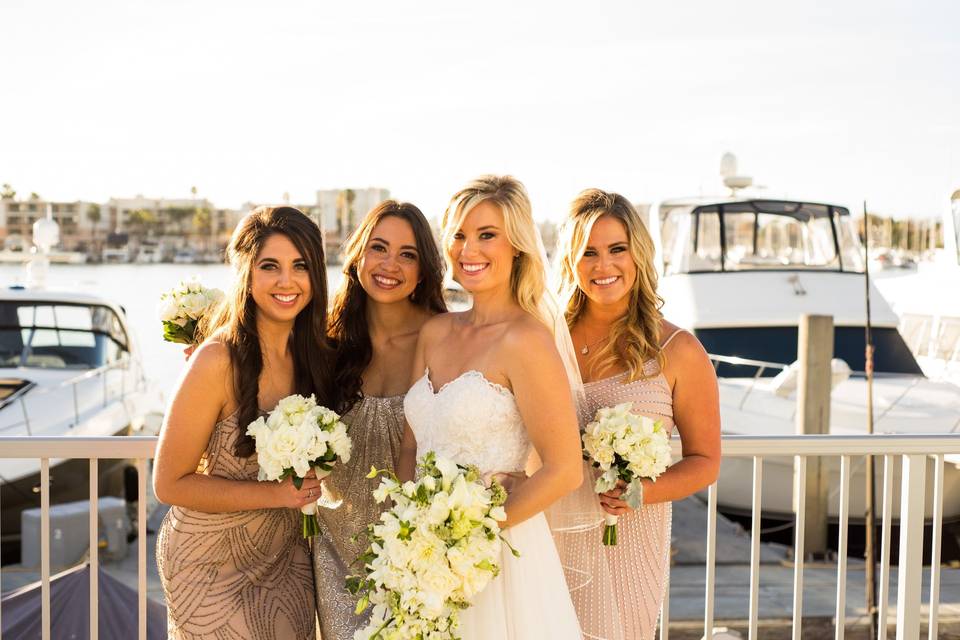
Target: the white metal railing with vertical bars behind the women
pixel 913 449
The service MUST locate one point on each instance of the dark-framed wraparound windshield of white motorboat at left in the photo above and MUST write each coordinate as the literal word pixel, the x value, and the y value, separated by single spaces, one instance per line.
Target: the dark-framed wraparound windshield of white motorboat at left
pixel 60 336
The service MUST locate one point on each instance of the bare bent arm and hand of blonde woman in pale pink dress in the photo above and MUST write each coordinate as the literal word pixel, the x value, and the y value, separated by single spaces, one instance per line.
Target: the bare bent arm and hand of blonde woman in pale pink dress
pixel 696 412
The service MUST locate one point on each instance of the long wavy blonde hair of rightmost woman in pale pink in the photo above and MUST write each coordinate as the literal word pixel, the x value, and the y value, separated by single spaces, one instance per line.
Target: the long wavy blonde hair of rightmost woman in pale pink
pixel 634 338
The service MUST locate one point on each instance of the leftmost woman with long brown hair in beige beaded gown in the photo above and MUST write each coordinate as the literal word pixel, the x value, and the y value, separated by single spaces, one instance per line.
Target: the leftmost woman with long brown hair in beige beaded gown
pixel 230 554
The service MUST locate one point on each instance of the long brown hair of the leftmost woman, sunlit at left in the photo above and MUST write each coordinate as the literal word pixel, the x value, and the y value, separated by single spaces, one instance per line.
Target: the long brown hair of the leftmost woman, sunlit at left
pixel 236 322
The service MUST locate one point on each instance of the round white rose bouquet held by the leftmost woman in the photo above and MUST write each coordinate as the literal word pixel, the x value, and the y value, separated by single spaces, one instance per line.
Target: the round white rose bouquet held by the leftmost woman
pixel 297 436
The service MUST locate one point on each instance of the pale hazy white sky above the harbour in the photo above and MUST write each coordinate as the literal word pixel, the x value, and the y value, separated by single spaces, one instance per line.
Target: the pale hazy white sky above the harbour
pixel 248 100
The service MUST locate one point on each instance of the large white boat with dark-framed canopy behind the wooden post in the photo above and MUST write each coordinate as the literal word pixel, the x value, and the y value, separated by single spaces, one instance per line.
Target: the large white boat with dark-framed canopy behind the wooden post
pixel 739 272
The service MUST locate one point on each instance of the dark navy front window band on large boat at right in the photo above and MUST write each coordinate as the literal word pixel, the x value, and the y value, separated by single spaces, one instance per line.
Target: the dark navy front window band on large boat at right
pixel 779 345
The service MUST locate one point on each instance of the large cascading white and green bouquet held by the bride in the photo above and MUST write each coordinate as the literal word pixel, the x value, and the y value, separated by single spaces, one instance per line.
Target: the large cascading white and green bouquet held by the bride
pixel 432 551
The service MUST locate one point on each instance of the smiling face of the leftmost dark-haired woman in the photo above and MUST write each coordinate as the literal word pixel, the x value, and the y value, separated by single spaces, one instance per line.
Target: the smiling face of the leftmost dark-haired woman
pixel 279 280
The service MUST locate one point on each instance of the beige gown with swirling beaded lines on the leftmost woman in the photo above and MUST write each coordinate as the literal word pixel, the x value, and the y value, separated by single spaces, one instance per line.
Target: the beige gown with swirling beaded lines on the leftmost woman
pixel 237 575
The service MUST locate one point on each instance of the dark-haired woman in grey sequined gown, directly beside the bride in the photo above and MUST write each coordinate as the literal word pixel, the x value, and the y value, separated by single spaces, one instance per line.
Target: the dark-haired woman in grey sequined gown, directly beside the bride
pixel 393 283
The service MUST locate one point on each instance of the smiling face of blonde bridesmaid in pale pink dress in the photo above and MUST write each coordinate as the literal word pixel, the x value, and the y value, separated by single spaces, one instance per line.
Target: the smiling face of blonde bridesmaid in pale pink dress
pixel 606 273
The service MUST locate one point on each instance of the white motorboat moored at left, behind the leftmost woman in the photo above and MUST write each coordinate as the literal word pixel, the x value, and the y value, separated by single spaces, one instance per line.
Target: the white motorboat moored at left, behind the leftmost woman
pixel 69 366
